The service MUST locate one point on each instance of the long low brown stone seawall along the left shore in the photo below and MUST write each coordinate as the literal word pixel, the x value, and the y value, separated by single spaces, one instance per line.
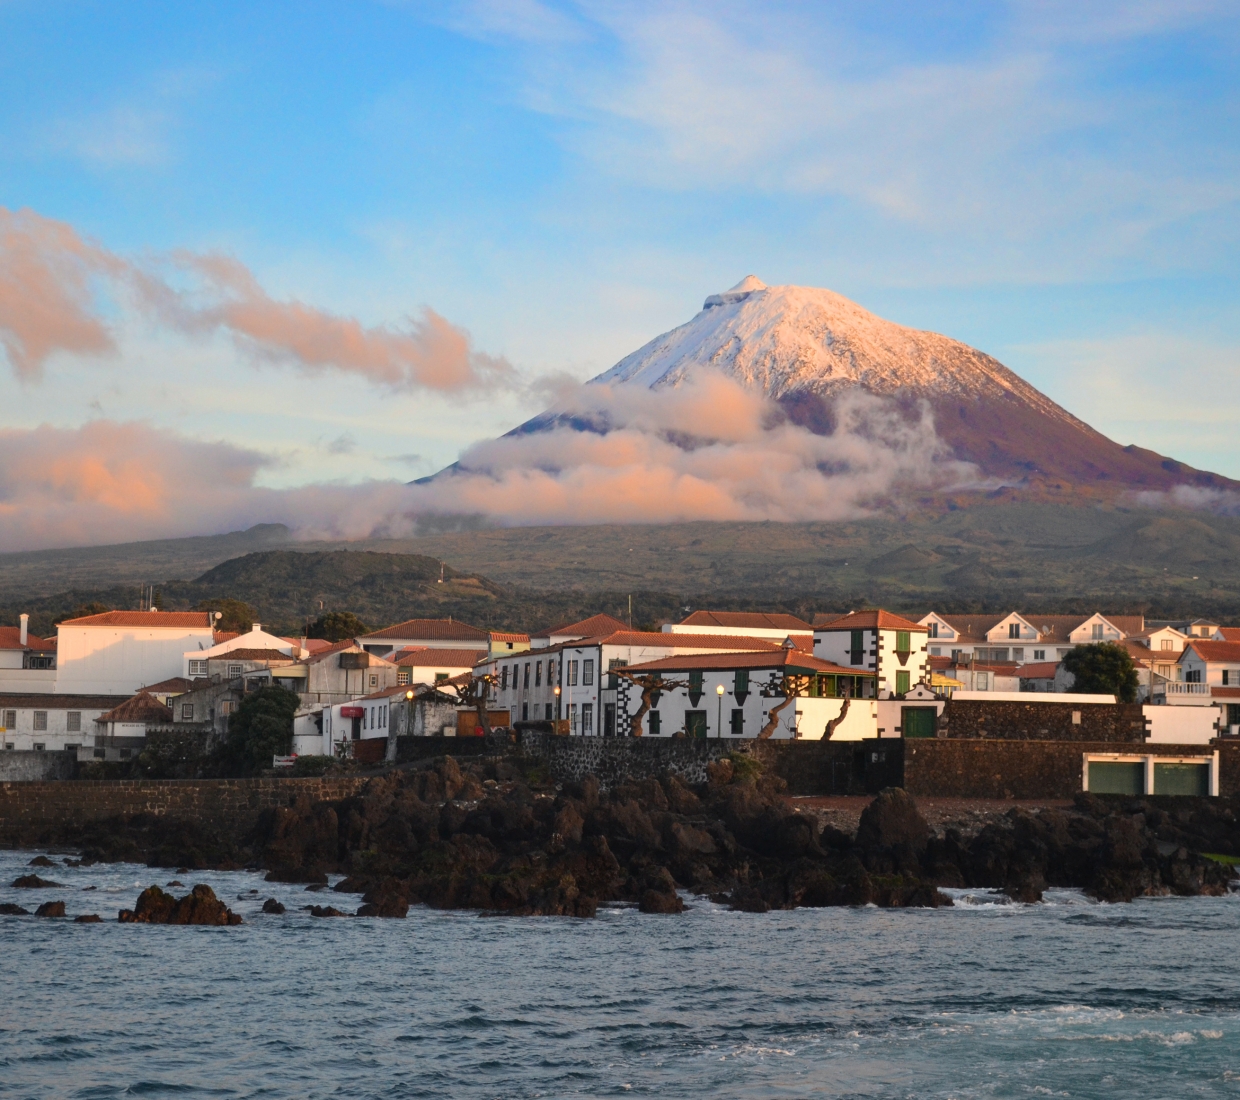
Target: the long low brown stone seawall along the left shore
pixel 232 804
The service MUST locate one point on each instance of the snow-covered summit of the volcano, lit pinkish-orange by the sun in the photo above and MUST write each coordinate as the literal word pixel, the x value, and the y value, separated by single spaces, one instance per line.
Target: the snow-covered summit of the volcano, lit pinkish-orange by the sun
pixel 804 340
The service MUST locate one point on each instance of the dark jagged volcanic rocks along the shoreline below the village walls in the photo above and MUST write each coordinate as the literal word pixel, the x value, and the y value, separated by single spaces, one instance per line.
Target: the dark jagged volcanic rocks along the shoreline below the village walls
pixel 487 836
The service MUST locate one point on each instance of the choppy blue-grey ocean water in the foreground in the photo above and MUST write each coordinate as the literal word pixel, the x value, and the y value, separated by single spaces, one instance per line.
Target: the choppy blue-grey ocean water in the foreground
pixel 1065 999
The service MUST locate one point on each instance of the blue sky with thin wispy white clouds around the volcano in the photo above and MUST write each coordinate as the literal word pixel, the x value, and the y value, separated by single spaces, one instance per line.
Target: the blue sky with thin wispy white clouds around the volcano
pixel 1057 184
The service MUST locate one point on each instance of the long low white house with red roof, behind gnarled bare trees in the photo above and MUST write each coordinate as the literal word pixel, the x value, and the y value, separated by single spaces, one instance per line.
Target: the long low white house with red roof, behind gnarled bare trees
pixel 787 695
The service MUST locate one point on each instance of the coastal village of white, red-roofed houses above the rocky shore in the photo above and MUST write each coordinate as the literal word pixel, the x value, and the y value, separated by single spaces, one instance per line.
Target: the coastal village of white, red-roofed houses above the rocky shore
pixel 108 684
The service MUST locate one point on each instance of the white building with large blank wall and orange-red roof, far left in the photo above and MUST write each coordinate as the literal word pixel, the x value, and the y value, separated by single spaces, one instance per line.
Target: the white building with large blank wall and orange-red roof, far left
pixel 117 653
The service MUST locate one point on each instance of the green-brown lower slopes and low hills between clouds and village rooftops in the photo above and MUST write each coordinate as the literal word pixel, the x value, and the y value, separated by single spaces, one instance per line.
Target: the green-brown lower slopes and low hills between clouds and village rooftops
pixel 1046 556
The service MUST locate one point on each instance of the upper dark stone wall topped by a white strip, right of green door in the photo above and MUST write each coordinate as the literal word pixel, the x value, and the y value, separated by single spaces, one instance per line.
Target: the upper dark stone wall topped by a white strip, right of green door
pixel 1042 721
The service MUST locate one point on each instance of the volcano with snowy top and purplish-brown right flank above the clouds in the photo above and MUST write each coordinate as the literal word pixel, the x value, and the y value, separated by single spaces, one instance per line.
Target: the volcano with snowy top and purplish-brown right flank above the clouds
pixel 805 348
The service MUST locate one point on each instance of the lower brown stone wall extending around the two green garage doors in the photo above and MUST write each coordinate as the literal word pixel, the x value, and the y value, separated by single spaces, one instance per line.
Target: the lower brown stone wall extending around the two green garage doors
pixel 1017 770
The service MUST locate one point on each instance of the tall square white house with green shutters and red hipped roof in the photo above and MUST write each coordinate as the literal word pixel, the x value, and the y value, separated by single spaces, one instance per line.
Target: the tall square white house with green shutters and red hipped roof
pixel 892 648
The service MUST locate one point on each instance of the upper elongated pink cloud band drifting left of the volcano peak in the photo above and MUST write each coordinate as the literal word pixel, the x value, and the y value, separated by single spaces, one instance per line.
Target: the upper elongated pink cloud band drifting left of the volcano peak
pixel 54 287
